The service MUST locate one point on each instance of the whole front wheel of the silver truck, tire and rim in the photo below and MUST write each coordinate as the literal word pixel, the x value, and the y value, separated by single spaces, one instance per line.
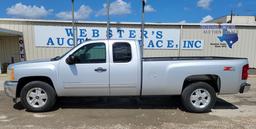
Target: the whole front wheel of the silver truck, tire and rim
pixel 38 96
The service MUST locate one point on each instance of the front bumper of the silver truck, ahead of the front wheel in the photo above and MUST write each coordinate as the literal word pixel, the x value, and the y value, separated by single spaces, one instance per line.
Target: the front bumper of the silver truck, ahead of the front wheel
pixel 10 88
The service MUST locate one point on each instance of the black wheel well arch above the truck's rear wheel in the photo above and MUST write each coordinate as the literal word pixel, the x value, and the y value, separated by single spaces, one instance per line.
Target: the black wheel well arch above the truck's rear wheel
pixel 213 80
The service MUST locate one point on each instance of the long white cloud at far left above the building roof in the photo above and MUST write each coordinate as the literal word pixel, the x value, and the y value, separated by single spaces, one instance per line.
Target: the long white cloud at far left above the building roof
pixel 28 11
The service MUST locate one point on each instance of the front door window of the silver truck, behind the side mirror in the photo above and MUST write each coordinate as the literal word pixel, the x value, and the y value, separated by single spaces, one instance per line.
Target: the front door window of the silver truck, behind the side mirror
pixel 91 53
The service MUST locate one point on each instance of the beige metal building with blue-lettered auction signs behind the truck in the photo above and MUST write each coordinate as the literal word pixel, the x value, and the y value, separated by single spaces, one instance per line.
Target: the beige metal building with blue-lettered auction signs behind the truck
pixel 22 39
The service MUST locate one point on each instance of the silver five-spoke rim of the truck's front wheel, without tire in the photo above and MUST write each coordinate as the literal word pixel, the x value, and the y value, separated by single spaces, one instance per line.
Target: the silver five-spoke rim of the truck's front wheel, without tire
pixel 36 97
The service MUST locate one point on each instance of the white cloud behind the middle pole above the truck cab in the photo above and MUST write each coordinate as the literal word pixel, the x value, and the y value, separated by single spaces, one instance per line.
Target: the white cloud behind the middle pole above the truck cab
pixel 118 7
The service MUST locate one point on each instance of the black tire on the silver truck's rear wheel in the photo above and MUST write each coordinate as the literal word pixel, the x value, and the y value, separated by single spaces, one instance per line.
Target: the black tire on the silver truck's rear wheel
pixel 187 101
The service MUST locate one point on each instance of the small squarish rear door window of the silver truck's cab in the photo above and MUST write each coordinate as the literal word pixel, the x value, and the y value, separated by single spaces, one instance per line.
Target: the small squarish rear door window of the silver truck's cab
pixel 122 53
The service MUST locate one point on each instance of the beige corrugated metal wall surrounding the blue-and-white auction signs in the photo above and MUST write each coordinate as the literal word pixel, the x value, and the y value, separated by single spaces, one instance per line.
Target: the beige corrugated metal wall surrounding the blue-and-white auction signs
pixel 245 47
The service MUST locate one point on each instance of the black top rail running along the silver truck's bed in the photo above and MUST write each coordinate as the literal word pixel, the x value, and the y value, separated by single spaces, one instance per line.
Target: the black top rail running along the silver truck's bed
pixel 189 58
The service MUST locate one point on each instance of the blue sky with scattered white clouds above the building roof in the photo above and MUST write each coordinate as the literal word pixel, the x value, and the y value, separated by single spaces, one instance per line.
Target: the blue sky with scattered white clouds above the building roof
pixel 127 10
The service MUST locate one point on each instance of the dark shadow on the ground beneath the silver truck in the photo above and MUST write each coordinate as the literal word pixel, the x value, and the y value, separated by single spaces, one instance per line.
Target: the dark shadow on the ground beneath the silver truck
pixel 150 102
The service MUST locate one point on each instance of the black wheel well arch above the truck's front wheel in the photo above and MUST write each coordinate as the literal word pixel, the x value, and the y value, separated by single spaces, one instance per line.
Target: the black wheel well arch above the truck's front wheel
pixel 23 81
